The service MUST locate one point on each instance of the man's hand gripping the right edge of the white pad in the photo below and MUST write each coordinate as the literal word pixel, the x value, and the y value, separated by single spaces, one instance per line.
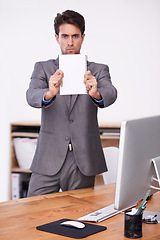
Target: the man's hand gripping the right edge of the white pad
pixel 91 85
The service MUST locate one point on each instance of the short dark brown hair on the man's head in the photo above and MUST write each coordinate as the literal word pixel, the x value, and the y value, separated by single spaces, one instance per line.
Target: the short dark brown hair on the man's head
pixel 70 17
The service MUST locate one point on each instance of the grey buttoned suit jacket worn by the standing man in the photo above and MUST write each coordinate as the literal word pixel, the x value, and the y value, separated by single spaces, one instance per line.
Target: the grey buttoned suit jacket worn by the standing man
pixel 60 123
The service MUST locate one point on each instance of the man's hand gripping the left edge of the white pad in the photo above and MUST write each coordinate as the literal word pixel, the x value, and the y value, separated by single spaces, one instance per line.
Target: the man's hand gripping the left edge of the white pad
pixel 55 81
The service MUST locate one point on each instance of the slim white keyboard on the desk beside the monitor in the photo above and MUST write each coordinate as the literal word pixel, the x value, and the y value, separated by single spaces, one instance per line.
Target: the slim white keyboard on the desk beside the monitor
pixel 100 214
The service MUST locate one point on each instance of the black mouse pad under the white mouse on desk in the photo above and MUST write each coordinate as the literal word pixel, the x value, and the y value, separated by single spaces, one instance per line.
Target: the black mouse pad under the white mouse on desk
pixel 56 228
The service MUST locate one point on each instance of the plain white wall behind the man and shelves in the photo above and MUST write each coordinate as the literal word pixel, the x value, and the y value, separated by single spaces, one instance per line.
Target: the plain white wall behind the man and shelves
pixel 121 33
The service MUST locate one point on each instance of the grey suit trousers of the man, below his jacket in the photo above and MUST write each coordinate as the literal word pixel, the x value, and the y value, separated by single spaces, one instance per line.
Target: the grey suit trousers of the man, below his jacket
pixel 68 178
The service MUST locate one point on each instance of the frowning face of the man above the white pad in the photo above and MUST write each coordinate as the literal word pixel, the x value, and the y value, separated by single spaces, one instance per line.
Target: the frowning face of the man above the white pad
pixel 70 39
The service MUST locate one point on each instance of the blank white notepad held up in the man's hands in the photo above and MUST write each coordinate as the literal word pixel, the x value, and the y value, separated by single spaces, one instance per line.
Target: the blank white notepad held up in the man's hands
pixel 74 67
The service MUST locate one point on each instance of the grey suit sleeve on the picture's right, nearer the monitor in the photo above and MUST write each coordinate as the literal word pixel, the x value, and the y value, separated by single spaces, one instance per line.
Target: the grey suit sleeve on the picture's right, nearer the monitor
pixel 105 87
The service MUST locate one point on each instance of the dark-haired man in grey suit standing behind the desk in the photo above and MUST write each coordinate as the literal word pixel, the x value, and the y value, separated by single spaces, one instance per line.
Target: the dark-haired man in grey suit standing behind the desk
pixel 69 152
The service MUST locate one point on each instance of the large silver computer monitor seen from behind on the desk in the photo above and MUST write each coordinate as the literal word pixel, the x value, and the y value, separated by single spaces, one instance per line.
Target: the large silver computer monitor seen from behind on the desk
pixel 139 161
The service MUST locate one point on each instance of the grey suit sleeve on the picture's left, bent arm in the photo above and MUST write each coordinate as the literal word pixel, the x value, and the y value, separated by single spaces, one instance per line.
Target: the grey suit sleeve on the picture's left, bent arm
pixel 38 86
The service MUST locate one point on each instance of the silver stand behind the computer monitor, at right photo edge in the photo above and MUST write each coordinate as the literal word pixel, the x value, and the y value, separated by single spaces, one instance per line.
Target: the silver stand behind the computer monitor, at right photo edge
pixel 156 165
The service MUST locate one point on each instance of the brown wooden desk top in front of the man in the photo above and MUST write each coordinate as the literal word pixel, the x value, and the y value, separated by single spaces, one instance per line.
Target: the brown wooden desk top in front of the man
pixel 19 218
